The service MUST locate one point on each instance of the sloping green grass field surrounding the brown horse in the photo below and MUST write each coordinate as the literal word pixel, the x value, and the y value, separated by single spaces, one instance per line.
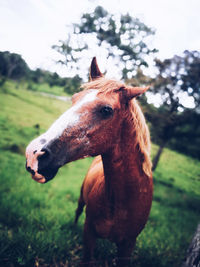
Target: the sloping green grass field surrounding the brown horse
pixel 36 221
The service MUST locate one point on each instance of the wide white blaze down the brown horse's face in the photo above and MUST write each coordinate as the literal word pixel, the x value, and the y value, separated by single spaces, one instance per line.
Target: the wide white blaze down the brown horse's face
pixel 69 118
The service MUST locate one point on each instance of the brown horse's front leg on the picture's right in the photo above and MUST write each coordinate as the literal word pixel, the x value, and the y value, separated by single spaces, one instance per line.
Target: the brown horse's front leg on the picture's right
pixel 124 250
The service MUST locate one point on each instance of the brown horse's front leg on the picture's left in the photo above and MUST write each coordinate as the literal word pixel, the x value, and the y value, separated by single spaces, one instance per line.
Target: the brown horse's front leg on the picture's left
pixel 89 241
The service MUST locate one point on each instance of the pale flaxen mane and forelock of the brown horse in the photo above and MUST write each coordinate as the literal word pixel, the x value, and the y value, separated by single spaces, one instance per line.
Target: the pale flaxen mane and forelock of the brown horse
pixel 135 114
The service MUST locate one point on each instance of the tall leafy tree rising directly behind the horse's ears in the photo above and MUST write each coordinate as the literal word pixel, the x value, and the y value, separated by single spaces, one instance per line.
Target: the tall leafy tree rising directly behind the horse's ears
pixel 123 38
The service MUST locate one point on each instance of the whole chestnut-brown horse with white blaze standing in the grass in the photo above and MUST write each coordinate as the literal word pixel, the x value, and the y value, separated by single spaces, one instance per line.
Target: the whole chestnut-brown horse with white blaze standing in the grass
pixel 104 121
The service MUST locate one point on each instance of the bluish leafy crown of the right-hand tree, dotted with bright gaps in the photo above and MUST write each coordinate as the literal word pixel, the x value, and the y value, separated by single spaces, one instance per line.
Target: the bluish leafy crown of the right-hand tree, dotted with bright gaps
pixel 178 79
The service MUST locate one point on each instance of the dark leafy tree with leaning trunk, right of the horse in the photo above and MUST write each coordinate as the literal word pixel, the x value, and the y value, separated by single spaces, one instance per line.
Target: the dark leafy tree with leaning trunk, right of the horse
pixel 178 83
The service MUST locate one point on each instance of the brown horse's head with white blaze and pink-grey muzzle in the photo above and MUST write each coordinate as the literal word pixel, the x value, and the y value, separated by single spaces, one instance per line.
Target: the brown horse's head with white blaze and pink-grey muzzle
pixel 89 128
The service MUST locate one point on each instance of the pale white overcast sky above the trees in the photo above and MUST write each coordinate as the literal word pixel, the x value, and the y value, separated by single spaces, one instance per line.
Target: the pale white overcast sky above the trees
pixel 31 27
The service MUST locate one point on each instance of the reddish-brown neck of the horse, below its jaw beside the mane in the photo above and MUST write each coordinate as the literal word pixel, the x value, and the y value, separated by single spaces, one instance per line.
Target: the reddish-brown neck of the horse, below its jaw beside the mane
pixel 123 167
